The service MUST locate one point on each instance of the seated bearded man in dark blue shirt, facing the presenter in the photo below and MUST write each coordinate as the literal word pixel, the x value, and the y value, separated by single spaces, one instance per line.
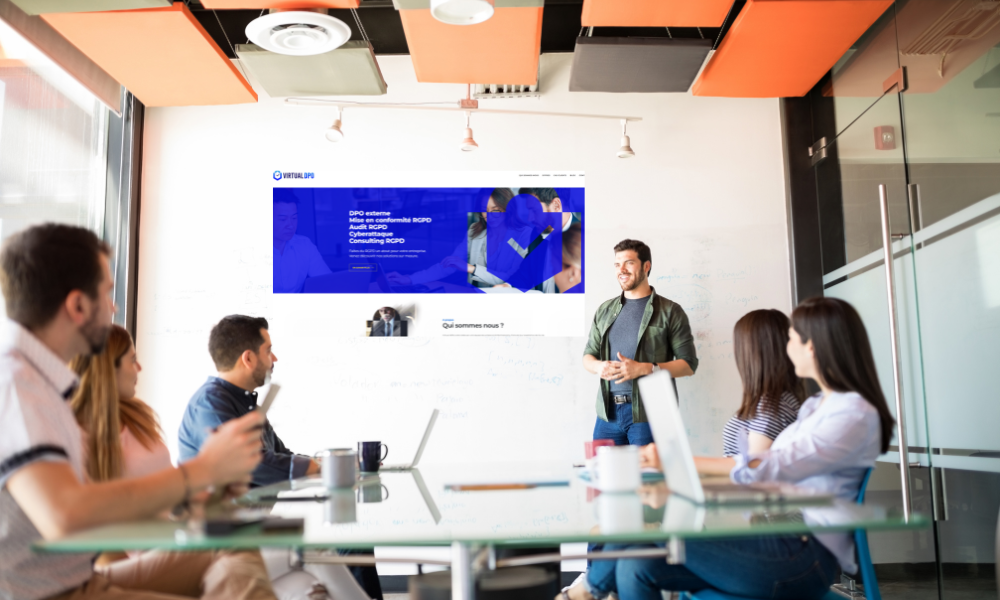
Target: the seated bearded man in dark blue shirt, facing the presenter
pixel 241 349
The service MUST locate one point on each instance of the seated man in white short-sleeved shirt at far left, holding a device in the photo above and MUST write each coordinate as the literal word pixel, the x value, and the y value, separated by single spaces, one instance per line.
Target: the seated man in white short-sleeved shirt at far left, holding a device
pixel 57 284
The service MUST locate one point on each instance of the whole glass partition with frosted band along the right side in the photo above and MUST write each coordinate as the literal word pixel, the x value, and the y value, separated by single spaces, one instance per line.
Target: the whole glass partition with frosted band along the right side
pixel 935 148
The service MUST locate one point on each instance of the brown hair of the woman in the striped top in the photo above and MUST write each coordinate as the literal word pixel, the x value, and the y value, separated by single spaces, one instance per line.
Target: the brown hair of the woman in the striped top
pixel 760 340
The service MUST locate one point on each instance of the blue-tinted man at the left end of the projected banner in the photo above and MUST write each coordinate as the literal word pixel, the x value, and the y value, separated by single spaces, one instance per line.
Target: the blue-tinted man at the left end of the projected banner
pixel 295 256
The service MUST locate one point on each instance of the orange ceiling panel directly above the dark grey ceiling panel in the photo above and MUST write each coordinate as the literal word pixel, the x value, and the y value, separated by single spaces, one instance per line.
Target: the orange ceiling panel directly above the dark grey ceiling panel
pixel 654 13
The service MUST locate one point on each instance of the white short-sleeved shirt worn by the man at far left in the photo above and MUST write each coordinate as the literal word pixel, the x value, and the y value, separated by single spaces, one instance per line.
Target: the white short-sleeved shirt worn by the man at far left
pixel 36 424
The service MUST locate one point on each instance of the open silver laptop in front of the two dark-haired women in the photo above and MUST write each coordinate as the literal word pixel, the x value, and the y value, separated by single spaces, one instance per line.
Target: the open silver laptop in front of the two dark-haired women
pixel 660 401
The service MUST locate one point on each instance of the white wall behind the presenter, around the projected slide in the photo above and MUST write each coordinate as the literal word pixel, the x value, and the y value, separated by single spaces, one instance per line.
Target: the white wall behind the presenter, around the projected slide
pixel 706 191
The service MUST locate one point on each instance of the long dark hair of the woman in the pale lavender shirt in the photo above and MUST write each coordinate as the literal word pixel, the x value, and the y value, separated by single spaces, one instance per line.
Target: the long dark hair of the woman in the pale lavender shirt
pixel 843 353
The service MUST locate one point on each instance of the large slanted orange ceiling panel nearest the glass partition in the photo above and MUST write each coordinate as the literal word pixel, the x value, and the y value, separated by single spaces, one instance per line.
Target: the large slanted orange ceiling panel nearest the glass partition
pixel 781 48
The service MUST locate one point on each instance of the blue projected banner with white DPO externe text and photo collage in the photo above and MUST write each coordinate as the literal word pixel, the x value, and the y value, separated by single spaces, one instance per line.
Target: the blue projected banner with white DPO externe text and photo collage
pixel 359 240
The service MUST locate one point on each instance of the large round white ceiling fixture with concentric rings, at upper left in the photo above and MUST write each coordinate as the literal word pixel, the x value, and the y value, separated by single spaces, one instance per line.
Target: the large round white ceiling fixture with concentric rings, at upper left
pixel 298 33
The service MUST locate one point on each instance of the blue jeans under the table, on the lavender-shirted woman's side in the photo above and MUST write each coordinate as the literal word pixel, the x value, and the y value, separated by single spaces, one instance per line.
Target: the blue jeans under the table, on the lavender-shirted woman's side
pixel 786 567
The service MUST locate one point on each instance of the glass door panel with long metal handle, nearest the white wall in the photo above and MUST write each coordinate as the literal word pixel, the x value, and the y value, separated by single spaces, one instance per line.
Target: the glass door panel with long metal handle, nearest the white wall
pixel 864 210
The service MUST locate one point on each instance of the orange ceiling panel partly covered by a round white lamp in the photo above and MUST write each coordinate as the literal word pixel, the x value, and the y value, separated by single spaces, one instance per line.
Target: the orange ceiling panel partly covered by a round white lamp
pixel 503 49
